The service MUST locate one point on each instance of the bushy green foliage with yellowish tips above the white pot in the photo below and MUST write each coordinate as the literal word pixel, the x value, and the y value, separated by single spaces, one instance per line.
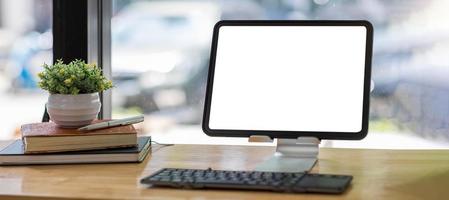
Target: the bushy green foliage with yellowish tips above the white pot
pixel 76 77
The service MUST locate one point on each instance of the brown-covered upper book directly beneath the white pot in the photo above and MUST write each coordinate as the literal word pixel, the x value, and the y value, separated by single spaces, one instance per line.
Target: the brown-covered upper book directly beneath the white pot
pixel 47 137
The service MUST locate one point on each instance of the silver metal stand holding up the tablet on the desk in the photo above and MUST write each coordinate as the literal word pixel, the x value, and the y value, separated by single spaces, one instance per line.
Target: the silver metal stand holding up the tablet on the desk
pixel 292 155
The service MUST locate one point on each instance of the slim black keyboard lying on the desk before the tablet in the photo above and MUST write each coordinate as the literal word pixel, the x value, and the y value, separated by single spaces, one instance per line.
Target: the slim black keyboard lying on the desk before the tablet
pixel 248 180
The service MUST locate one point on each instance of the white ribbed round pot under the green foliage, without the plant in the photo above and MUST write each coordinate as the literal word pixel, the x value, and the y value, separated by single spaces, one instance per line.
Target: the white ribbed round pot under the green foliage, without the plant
pixel 72 111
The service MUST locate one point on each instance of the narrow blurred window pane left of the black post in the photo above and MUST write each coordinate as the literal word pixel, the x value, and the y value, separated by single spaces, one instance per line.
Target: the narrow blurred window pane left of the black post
pixel 25 44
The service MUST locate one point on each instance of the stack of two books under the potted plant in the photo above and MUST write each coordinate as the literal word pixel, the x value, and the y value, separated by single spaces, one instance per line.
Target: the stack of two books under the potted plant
pixel 46 143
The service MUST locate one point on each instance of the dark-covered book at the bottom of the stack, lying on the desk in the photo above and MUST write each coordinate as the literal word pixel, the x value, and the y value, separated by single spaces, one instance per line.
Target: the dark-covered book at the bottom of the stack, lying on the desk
pixel 14 154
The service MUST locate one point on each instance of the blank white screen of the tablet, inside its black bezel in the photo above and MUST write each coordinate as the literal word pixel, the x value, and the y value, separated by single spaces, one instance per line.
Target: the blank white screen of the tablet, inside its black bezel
pixel 289 78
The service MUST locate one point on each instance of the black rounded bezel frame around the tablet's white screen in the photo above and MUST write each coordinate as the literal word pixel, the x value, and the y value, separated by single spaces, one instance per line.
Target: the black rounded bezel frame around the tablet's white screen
pixel 290 134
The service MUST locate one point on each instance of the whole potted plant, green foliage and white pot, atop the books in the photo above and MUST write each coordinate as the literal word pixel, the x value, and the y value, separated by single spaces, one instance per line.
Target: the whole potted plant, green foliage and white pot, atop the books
pixel 74 100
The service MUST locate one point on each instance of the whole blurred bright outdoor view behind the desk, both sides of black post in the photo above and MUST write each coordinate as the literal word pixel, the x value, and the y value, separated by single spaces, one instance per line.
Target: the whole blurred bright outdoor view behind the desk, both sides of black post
pixel 160 52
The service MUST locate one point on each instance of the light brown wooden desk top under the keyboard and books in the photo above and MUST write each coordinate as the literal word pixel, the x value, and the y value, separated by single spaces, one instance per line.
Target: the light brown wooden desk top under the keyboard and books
pixel 378 174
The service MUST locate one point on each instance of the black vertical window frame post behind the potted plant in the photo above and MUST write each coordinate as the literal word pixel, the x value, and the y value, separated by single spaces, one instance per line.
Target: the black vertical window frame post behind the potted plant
pixel 82 30
